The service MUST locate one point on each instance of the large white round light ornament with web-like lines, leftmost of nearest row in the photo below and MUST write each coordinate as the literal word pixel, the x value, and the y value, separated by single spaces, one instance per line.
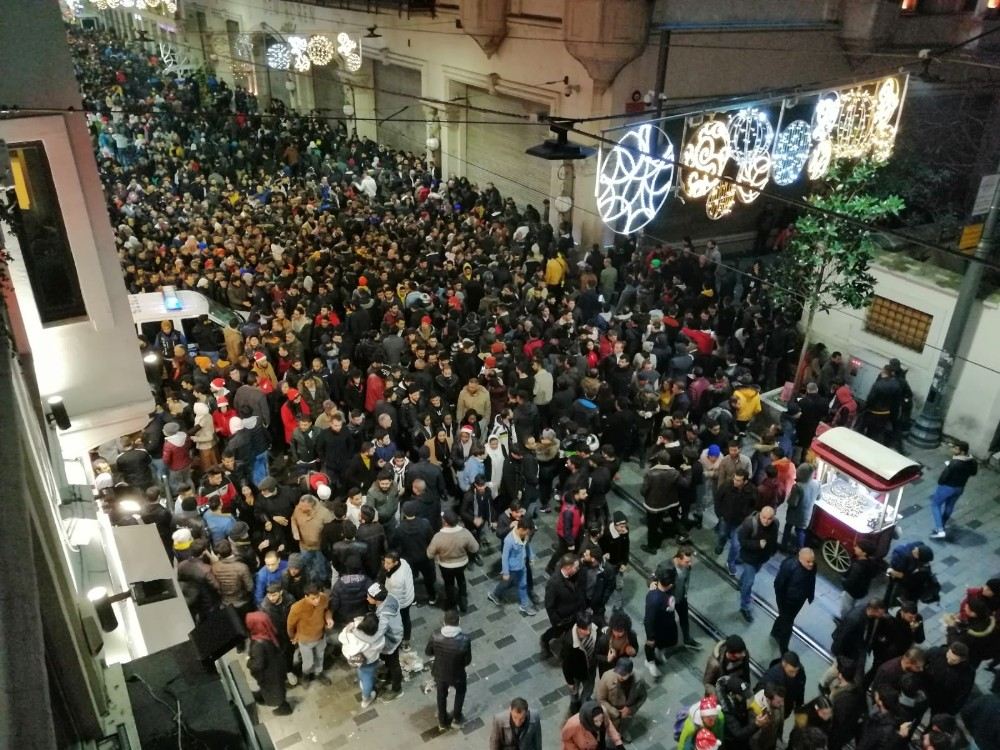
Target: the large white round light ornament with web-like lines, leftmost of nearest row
pixel 633 185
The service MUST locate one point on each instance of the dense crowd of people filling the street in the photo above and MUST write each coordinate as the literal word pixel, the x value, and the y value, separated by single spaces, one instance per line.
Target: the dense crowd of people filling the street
pixel 420 374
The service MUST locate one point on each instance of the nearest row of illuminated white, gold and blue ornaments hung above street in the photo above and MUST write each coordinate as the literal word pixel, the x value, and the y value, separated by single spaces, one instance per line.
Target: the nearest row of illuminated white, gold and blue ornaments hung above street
pixel 852 122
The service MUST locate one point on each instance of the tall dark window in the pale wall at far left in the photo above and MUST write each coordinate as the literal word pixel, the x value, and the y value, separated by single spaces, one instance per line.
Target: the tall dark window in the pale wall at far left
pixel 38 224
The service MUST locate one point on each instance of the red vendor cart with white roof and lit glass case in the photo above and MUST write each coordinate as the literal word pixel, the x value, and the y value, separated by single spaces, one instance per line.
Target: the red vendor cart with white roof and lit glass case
pixel 862 483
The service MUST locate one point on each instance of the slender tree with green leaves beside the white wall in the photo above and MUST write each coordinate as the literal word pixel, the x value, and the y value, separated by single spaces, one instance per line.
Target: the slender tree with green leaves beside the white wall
pixel 826 262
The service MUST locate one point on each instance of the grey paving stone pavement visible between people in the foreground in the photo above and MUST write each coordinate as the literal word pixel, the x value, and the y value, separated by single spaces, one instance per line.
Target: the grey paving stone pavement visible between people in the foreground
pixel 505 646
